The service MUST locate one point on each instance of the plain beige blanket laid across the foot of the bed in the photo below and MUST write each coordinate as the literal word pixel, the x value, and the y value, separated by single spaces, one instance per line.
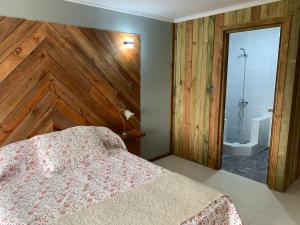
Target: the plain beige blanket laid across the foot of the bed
pixel 171 199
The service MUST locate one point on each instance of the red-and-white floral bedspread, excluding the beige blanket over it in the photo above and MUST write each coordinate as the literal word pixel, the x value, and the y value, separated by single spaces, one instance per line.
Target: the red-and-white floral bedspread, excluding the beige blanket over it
pixel 48 176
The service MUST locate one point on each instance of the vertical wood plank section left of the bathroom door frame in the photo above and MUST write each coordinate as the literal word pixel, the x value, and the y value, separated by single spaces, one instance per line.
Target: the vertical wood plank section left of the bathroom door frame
pixel 193 60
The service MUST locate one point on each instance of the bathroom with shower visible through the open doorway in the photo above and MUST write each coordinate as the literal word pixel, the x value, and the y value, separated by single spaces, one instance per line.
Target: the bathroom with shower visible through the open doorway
pixel 251 83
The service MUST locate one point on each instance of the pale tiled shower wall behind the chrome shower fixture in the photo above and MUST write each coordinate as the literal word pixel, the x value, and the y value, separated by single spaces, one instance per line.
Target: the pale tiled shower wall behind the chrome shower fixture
pixel 262 47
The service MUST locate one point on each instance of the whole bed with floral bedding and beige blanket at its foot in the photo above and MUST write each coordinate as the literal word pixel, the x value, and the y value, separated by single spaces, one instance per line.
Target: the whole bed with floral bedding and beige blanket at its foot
pixel 84 175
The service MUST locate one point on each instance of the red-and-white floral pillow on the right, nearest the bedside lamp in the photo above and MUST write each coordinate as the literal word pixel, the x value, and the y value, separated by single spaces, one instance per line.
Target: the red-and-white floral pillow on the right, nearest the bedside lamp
pixel 78 146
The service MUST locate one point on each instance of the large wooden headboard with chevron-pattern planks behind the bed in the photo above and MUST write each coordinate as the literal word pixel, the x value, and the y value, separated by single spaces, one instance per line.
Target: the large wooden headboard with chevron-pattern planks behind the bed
pixel 53 77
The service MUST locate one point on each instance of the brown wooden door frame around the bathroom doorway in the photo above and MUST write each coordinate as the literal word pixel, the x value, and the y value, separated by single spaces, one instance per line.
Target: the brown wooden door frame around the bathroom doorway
pixel 219 79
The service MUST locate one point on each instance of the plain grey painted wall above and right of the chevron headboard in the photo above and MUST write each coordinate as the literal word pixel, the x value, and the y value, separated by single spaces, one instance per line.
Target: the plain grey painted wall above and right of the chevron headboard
pixel 155 56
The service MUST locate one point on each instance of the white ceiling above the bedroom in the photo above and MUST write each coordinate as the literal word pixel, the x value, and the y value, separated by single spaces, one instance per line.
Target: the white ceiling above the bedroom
pixel 172 10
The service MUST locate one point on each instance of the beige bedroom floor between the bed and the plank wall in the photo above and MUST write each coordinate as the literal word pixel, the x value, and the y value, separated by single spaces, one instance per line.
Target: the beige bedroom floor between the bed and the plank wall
pixel 257 205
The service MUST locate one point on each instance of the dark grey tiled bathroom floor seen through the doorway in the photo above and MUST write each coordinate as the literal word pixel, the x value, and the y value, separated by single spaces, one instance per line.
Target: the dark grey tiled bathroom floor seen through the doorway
pixel 253 167
